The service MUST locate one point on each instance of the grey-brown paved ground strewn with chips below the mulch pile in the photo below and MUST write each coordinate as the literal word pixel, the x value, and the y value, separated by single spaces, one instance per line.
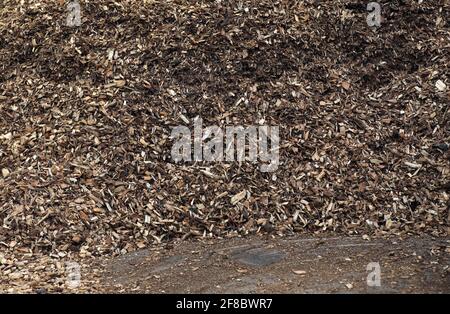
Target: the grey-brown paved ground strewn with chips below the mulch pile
pixel 292 265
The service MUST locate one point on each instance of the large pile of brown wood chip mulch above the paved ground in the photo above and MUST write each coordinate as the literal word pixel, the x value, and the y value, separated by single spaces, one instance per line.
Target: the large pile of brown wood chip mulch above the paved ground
pixel 86 115
